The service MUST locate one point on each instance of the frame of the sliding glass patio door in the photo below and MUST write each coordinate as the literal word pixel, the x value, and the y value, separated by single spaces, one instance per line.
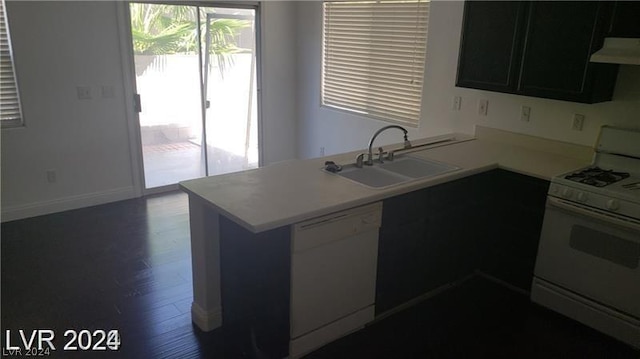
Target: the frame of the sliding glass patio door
pixel 130 89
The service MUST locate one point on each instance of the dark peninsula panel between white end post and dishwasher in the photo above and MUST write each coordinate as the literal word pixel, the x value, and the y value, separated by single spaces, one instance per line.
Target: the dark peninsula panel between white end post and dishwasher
pixel 255 280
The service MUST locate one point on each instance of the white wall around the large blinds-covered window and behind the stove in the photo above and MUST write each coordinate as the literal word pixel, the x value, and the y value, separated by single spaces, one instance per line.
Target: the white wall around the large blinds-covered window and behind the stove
pixel 339 132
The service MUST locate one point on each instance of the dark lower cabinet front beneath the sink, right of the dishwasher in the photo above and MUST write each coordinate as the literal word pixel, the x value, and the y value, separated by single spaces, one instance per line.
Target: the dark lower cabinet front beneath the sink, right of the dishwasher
pixel 429 238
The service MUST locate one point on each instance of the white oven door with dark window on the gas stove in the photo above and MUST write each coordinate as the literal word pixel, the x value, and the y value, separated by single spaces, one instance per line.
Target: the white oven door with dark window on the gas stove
pixel 591 253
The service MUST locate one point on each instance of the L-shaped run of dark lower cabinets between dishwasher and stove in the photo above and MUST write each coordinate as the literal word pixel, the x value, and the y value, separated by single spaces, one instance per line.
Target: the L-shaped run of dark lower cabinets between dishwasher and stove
pixel 434 236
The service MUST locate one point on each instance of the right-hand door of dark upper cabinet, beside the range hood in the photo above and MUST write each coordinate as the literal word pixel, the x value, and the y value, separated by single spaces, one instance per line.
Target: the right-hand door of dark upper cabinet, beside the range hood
pixel 560 38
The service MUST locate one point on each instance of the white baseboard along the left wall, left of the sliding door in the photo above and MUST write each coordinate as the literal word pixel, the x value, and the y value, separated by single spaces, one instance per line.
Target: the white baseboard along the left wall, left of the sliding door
pixel 11 213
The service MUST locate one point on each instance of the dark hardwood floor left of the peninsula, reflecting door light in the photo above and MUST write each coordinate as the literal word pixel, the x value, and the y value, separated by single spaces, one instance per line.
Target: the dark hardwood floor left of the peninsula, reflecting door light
pixel 124 266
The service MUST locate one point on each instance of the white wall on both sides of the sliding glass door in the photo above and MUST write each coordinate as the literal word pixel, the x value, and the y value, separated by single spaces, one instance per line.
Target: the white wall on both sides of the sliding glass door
pixel 61 45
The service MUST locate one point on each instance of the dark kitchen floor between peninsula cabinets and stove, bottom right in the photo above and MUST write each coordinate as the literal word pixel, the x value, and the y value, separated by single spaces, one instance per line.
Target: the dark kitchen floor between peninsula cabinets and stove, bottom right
pixel 478 319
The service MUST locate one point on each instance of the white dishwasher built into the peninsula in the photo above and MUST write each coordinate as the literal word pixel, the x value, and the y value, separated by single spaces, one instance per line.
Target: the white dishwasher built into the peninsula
pixel 333 276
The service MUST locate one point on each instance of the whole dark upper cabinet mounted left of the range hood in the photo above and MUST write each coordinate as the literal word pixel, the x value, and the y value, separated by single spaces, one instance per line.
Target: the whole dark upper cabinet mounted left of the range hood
pixel 538 49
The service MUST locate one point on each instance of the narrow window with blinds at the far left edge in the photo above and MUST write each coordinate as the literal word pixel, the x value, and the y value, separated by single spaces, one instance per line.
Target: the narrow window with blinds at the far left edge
pixel 10 114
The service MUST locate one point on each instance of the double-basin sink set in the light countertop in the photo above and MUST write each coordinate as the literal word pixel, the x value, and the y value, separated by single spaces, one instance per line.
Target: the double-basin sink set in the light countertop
pixel 402 169
